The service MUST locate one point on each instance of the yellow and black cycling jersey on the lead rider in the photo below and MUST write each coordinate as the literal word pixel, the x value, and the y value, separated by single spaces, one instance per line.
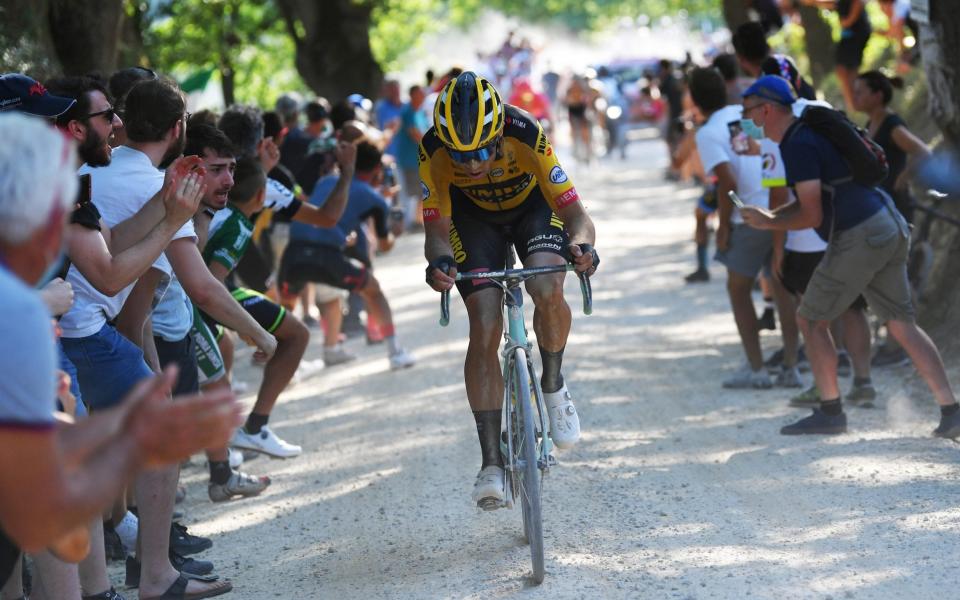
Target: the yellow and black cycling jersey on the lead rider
pixel 526 169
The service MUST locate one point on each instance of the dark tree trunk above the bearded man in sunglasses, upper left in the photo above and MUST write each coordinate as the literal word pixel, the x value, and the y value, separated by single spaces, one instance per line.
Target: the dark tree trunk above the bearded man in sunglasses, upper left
pixel 86 34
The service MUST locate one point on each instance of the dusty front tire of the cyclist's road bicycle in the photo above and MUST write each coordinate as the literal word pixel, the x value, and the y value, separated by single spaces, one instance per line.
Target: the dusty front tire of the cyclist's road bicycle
pixel 526 450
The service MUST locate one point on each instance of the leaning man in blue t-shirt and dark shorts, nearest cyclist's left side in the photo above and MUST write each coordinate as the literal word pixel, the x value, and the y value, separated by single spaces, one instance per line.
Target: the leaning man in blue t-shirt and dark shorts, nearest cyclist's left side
pixel 317 254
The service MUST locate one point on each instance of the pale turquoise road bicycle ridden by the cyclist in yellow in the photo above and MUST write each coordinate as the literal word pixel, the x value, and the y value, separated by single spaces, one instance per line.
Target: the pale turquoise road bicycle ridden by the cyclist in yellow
pixel 525 438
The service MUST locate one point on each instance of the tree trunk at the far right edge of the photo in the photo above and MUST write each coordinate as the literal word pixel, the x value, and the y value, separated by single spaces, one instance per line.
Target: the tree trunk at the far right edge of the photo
pixel 939 48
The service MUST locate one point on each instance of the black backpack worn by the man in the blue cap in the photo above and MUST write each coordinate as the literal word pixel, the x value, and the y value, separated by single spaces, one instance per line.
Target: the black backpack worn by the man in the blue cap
pixel 866 159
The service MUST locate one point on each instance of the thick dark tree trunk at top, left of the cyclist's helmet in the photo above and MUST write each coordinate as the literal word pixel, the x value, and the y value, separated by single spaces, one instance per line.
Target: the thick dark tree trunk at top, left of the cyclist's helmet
pixel 333 46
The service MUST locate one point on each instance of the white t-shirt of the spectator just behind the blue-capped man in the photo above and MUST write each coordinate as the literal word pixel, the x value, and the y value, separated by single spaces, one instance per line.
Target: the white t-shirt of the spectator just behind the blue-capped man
pixel 713 144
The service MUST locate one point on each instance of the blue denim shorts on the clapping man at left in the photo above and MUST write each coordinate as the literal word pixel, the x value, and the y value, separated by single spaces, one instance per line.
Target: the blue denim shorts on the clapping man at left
pixel 108 366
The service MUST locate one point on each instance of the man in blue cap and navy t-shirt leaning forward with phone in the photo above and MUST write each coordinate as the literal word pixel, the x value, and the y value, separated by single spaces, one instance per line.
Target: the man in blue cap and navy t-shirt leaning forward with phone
pixel 868 243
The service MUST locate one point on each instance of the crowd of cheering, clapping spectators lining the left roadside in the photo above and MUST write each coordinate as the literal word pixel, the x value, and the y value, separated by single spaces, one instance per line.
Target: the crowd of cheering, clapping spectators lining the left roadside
pixel 154 240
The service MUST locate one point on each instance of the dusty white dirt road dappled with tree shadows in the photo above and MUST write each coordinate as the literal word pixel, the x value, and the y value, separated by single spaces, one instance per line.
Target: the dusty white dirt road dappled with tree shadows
pixel 678 489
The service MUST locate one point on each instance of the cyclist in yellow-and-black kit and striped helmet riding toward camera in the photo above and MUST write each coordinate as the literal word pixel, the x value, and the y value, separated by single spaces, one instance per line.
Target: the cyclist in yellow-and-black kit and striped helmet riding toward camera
pixel 490 177
